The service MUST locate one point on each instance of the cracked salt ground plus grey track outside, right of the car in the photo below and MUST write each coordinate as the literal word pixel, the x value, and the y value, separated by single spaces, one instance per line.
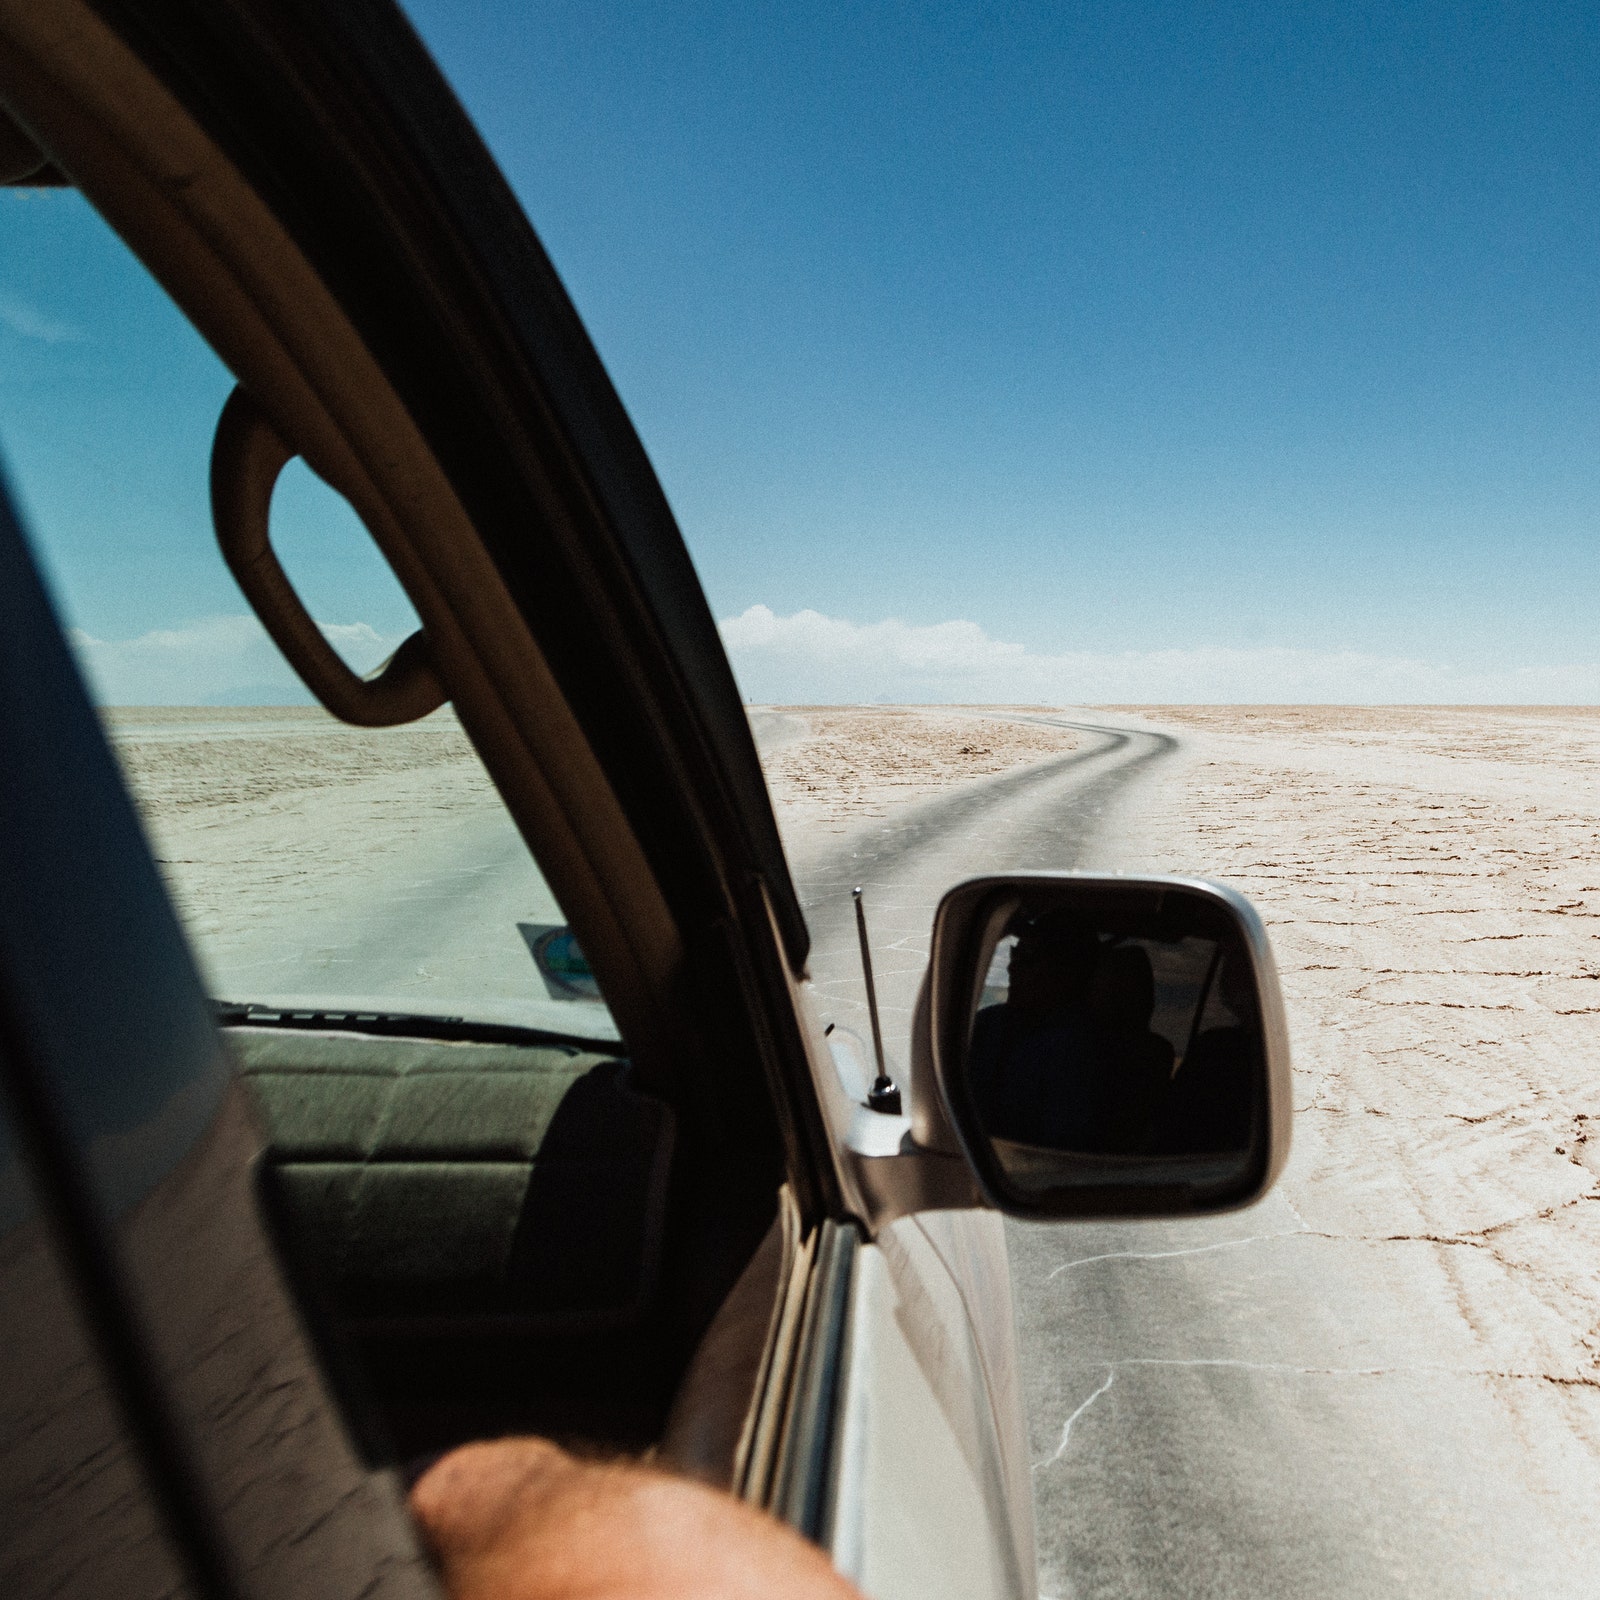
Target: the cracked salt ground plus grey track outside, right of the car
pixel 1386 1378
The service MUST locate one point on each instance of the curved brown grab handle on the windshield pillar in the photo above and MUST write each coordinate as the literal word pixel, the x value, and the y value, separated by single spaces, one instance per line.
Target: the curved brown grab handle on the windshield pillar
pixel 247 458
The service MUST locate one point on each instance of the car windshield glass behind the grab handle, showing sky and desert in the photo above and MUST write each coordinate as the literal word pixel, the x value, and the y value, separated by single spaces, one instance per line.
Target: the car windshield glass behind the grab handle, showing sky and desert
pixel 318 866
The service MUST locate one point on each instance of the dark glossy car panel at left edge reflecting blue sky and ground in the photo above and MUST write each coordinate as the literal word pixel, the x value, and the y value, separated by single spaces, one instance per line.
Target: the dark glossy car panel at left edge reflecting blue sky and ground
pixel 162 1374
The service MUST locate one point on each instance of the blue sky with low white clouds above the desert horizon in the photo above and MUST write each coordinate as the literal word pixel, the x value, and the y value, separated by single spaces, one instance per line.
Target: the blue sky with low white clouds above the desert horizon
pixel 986 353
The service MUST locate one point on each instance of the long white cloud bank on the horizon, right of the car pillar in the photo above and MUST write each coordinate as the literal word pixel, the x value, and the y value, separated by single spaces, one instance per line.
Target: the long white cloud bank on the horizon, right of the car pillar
pixel 818 660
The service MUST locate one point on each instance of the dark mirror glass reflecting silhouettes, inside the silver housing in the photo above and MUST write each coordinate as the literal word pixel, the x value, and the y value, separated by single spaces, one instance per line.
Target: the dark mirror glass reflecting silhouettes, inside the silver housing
pixel 1114 1039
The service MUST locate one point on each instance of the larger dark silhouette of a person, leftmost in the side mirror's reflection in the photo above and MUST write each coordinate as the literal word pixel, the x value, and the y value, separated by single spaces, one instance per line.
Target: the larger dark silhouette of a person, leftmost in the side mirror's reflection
pixel 1031 1058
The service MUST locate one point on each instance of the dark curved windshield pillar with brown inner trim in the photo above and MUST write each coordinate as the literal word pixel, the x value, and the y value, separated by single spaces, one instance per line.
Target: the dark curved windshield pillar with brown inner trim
pixel 652 850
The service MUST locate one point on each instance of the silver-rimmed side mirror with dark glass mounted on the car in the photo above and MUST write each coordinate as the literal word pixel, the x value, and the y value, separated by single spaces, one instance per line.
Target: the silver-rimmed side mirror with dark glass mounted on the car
pixel 1110 1046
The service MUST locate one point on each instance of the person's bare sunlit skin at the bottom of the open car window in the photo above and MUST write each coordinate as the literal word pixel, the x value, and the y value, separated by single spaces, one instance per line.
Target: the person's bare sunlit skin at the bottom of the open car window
pixel 521 1519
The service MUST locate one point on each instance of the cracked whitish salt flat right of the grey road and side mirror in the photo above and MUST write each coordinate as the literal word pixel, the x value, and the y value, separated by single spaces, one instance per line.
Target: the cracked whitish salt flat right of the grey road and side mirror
pixel 1433 886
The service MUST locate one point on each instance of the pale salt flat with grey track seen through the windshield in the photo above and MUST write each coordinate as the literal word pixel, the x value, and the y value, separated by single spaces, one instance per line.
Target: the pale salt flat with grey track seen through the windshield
pixel 318 862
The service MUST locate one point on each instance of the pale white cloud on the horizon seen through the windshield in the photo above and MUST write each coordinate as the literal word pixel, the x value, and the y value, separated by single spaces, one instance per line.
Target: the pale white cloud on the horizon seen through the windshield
pixel 217 660
